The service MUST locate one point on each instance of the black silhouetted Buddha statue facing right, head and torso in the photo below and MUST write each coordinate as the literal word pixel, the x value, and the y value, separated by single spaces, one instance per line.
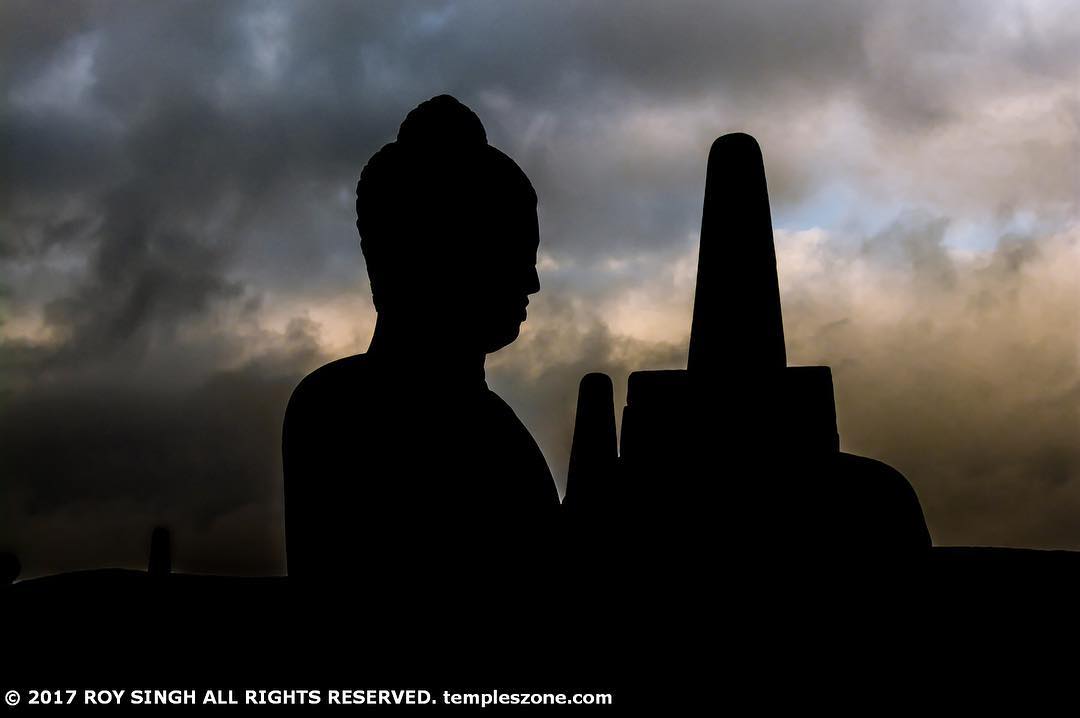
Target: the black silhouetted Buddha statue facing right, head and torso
pixel 403 454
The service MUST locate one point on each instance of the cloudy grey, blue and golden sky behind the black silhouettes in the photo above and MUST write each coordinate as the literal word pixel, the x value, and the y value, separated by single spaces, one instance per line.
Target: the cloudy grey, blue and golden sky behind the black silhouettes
pixel 178 245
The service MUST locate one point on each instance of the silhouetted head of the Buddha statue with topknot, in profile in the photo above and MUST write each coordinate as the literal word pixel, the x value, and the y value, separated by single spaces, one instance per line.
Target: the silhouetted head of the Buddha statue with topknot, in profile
pixel 449 229
